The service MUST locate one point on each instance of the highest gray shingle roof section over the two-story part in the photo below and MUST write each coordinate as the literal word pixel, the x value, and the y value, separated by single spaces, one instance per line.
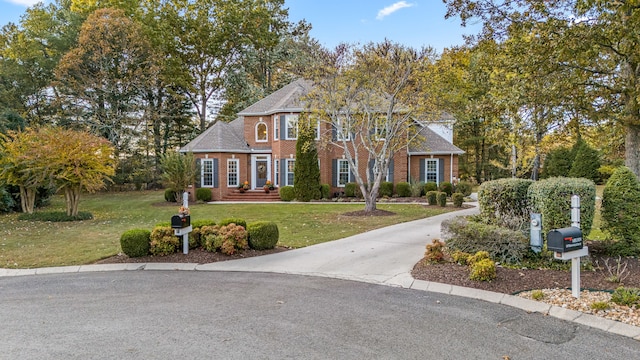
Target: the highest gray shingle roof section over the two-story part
pixel 286 99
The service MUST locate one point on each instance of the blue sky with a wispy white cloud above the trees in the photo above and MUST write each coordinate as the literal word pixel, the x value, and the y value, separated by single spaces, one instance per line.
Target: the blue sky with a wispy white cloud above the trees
pixel 415 23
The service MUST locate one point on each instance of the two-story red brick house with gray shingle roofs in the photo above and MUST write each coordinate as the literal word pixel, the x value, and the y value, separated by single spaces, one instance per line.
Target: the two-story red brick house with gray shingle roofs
pixel 260 146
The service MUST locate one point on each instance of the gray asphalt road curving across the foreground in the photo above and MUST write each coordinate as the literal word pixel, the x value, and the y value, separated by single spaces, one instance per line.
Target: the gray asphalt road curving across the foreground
pixel 238 315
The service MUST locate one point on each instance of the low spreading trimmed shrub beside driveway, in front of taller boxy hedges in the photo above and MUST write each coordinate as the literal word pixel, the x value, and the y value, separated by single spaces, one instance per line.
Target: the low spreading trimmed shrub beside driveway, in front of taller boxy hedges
pixel 504 245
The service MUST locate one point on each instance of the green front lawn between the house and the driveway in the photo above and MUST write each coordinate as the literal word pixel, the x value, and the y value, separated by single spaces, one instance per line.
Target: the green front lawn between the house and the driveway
pixel 30 244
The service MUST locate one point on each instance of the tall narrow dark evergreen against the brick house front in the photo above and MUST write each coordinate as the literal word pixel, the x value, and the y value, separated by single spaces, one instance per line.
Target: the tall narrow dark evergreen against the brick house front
pixel 306 180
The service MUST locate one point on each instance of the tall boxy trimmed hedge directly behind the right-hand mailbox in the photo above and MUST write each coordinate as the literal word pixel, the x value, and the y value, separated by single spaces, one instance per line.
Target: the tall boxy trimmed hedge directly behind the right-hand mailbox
pixel 552 198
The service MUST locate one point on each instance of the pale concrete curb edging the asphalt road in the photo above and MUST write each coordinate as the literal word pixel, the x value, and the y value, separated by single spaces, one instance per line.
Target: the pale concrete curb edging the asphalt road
pixel 400 280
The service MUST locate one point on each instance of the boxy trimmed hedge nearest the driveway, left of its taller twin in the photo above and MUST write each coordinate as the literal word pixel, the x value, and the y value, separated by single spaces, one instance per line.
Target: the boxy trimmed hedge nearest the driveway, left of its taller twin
pixel 505 202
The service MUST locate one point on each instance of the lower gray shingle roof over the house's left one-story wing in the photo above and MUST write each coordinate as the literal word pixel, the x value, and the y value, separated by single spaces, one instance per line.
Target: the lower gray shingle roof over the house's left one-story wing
pixel 221 137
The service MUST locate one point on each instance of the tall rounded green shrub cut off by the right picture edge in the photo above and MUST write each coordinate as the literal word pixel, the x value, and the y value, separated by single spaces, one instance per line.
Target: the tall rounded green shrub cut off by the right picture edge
pixel 620 211
